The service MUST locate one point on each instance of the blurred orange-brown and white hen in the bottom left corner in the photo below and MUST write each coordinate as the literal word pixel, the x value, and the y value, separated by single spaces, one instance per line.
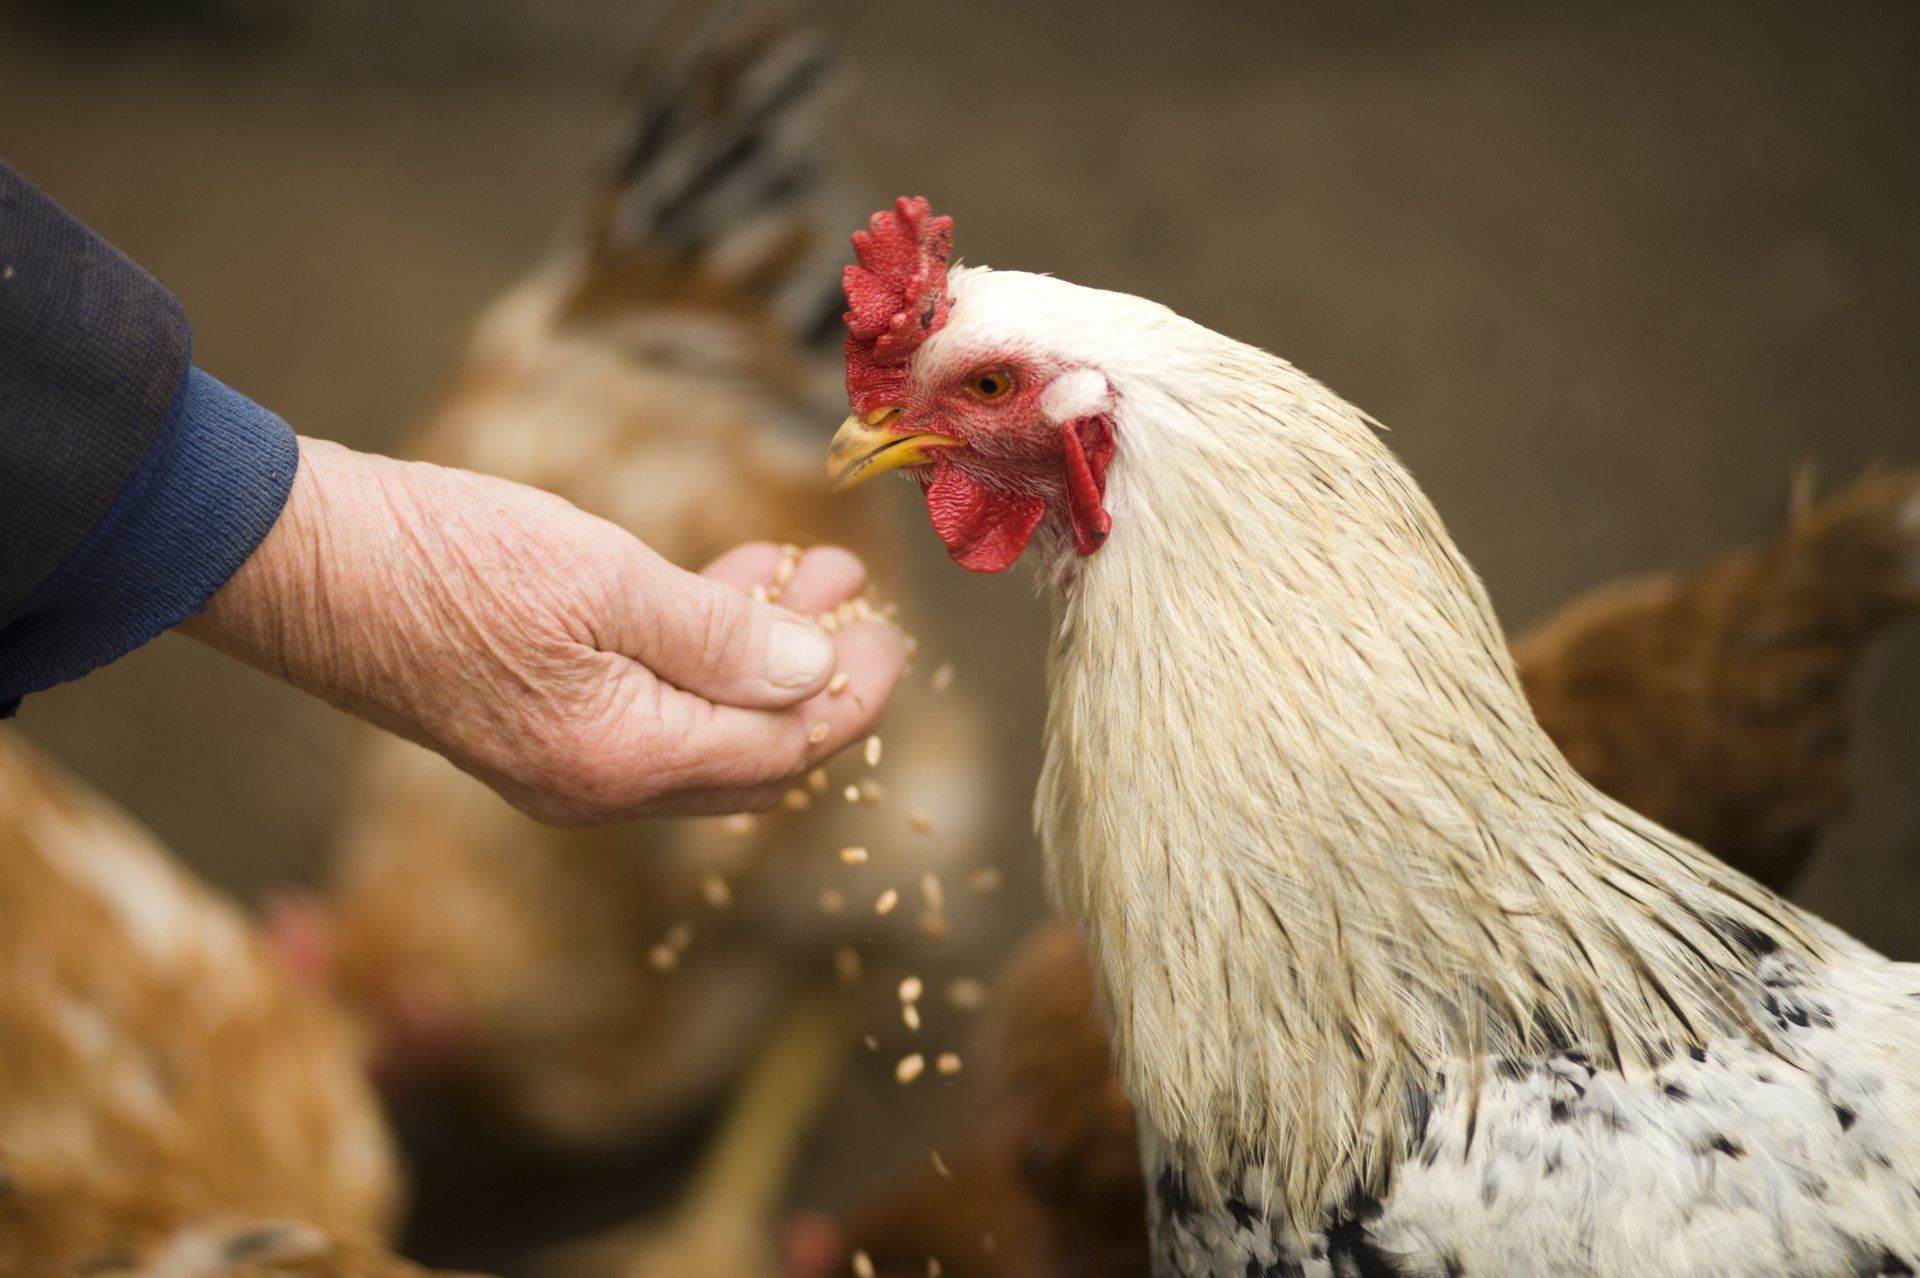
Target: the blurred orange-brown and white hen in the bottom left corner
pixel 168 1102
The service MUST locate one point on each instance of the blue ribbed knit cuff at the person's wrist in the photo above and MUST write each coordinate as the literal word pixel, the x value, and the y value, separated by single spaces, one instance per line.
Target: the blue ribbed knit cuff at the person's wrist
pixel 204 496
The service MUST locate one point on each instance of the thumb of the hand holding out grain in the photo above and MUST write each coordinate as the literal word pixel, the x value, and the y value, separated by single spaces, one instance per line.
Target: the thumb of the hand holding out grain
pixel 715 642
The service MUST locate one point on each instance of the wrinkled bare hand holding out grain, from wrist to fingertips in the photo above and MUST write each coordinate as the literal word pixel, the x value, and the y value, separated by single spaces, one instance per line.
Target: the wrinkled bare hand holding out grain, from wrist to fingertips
pixel 548 651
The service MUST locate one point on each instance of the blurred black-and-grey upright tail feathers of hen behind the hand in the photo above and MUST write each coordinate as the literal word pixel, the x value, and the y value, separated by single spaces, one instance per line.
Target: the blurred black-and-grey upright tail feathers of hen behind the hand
pixel 721 189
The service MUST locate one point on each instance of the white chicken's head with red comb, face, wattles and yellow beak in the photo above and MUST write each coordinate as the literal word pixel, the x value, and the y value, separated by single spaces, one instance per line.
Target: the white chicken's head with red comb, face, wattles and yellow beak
pixel 999 427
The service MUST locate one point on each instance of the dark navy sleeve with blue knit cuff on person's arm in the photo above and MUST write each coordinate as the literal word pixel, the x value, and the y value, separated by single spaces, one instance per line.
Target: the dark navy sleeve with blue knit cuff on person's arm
pixel 132 485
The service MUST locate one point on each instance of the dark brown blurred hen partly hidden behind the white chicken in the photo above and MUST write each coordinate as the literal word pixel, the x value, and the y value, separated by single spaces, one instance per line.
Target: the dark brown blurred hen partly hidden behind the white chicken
pixel 1714 701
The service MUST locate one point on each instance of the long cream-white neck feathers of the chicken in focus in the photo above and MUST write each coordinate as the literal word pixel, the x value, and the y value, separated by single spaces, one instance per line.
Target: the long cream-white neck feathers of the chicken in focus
pixel 1297 801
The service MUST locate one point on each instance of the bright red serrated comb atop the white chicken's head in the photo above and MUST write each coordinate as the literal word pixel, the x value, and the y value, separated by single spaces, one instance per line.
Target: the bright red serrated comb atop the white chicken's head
pixel 896 298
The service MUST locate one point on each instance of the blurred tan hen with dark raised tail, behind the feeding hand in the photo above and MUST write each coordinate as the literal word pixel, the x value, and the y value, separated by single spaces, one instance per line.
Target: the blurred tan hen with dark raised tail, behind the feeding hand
pixel 592 985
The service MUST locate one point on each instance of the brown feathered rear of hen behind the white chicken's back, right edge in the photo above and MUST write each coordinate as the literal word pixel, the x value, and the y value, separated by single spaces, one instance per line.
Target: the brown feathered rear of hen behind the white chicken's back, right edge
pixel 1719 699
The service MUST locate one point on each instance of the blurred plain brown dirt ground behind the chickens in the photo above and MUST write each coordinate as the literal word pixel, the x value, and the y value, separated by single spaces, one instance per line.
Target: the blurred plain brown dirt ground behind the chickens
pixel 1608 272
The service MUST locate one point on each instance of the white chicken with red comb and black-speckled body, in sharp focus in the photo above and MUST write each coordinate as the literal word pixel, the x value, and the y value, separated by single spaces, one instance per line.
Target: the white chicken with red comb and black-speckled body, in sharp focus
pixel 1393 989
